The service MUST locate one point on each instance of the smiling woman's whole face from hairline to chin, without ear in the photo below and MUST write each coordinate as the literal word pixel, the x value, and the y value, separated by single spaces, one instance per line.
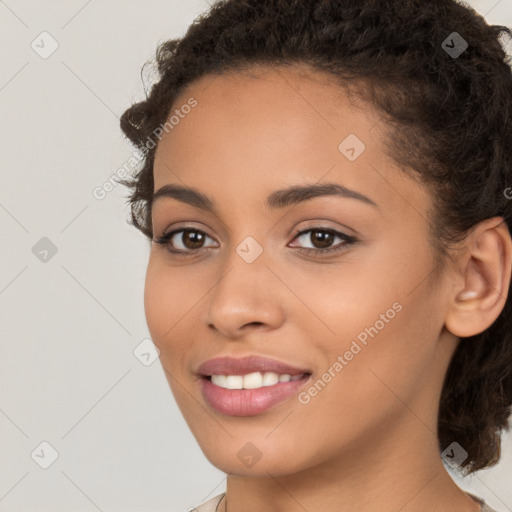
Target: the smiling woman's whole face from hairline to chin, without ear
pixel 253 277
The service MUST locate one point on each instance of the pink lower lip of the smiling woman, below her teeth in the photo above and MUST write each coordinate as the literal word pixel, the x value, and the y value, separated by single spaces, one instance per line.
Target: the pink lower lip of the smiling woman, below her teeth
pixel 249 402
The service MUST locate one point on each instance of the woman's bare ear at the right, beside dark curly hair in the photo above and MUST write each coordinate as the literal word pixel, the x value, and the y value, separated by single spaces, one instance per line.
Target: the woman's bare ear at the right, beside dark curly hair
pixel 485 272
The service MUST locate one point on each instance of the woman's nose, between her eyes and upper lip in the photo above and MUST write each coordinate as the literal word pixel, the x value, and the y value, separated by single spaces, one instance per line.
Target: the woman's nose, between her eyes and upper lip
pixel 246 296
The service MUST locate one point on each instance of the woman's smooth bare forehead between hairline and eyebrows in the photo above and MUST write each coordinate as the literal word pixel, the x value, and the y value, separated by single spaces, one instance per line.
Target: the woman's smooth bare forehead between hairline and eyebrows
pixel 252 132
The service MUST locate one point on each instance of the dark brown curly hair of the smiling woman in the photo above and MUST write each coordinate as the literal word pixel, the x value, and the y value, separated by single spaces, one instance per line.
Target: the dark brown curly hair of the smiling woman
pixel 449 125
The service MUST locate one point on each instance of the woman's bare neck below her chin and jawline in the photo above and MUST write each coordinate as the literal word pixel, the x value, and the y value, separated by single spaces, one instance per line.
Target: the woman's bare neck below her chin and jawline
pixel 408 476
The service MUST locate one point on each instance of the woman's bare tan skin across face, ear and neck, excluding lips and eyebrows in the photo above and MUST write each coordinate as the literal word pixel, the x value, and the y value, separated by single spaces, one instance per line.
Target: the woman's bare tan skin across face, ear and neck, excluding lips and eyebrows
pixel 367 441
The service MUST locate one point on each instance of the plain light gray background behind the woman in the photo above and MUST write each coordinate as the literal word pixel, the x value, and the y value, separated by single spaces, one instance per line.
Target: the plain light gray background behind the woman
pixel 70 325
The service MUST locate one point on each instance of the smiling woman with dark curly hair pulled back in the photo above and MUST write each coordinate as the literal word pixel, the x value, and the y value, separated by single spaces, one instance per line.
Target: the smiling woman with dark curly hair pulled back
pixel 325 186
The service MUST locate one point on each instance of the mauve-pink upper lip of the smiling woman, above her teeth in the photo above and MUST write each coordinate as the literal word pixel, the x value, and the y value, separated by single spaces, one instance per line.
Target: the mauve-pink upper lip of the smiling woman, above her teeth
pixel 245 365
